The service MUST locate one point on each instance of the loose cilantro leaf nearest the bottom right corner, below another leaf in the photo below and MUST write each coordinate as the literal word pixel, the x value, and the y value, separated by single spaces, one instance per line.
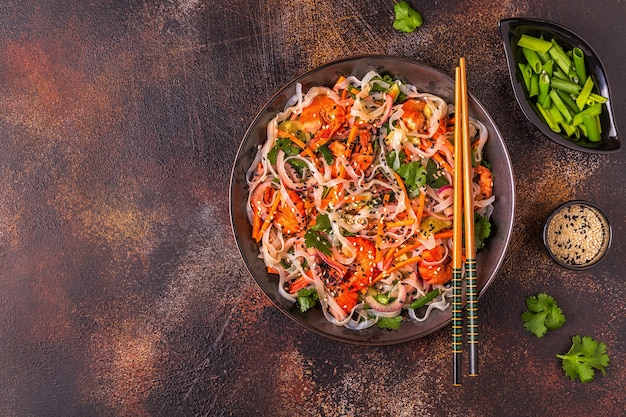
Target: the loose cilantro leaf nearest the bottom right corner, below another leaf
pixel 584 357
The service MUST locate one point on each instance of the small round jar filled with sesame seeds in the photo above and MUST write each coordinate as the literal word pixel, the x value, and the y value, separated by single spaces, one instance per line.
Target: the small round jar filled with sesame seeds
pixel 577 235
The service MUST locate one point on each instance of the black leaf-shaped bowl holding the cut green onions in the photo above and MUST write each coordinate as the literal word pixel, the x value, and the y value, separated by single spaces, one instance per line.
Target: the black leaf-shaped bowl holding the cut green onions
pixel 511 30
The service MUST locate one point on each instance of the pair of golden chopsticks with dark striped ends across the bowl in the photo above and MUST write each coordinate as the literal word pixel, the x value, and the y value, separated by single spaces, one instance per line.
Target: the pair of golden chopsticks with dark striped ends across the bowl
pixel 463 214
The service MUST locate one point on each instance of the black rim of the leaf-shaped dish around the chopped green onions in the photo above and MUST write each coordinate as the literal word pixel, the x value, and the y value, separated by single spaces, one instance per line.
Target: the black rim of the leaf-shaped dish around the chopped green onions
pixel 610 137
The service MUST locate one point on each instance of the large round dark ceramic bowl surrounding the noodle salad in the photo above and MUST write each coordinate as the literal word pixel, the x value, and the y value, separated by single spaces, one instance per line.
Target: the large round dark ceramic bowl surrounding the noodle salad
pixel 425 79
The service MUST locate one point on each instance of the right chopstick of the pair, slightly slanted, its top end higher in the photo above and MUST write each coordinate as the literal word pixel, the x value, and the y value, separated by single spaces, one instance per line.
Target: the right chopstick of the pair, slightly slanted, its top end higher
pixel 470 243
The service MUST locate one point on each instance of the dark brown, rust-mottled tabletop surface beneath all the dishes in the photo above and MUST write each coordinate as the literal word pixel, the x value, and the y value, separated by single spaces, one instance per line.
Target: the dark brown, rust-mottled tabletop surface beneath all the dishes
pixel 121 289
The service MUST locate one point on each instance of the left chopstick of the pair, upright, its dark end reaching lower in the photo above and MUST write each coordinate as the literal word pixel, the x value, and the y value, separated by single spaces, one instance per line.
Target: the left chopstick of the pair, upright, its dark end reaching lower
pixel 457 238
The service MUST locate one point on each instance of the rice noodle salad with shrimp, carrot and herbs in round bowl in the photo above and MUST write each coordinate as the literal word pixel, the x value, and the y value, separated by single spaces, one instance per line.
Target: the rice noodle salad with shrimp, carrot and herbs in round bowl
pixel 350 200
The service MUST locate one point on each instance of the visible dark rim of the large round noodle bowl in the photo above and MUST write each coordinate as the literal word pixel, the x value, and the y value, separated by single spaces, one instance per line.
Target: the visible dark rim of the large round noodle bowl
pixel 503 233
